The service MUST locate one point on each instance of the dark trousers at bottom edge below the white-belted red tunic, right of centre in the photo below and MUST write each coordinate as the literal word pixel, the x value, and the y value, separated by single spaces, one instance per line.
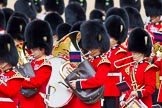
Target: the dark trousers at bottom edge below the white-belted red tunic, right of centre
pixel 111 102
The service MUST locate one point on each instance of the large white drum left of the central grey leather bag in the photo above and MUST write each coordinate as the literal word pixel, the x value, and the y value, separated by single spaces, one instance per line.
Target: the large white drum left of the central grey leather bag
pixel 57 93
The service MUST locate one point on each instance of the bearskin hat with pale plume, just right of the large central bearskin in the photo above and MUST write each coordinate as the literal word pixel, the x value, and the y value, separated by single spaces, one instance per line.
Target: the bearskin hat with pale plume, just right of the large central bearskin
pixel 116 28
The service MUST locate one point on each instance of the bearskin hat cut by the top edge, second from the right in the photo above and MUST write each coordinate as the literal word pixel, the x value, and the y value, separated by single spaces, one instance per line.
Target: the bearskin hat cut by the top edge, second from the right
pixel 132 3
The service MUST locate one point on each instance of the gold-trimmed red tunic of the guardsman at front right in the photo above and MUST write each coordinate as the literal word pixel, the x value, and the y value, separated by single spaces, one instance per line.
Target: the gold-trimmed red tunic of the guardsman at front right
pixel 144 78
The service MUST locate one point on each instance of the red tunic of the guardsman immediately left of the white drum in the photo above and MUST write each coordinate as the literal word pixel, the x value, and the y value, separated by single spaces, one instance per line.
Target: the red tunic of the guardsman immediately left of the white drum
pixel 42 75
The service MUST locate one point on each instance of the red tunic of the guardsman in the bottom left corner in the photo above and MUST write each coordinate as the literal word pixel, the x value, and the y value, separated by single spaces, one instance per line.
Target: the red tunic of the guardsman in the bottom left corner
pixel 9 91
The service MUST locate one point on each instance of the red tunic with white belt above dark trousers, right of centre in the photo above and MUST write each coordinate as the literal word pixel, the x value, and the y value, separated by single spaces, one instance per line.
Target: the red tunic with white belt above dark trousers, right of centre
pixel 113 55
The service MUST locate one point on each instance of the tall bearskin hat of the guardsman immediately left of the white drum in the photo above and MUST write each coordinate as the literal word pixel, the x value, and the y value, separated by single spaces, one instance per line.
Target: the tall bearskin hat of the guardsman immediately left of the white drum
pixel 38 34
